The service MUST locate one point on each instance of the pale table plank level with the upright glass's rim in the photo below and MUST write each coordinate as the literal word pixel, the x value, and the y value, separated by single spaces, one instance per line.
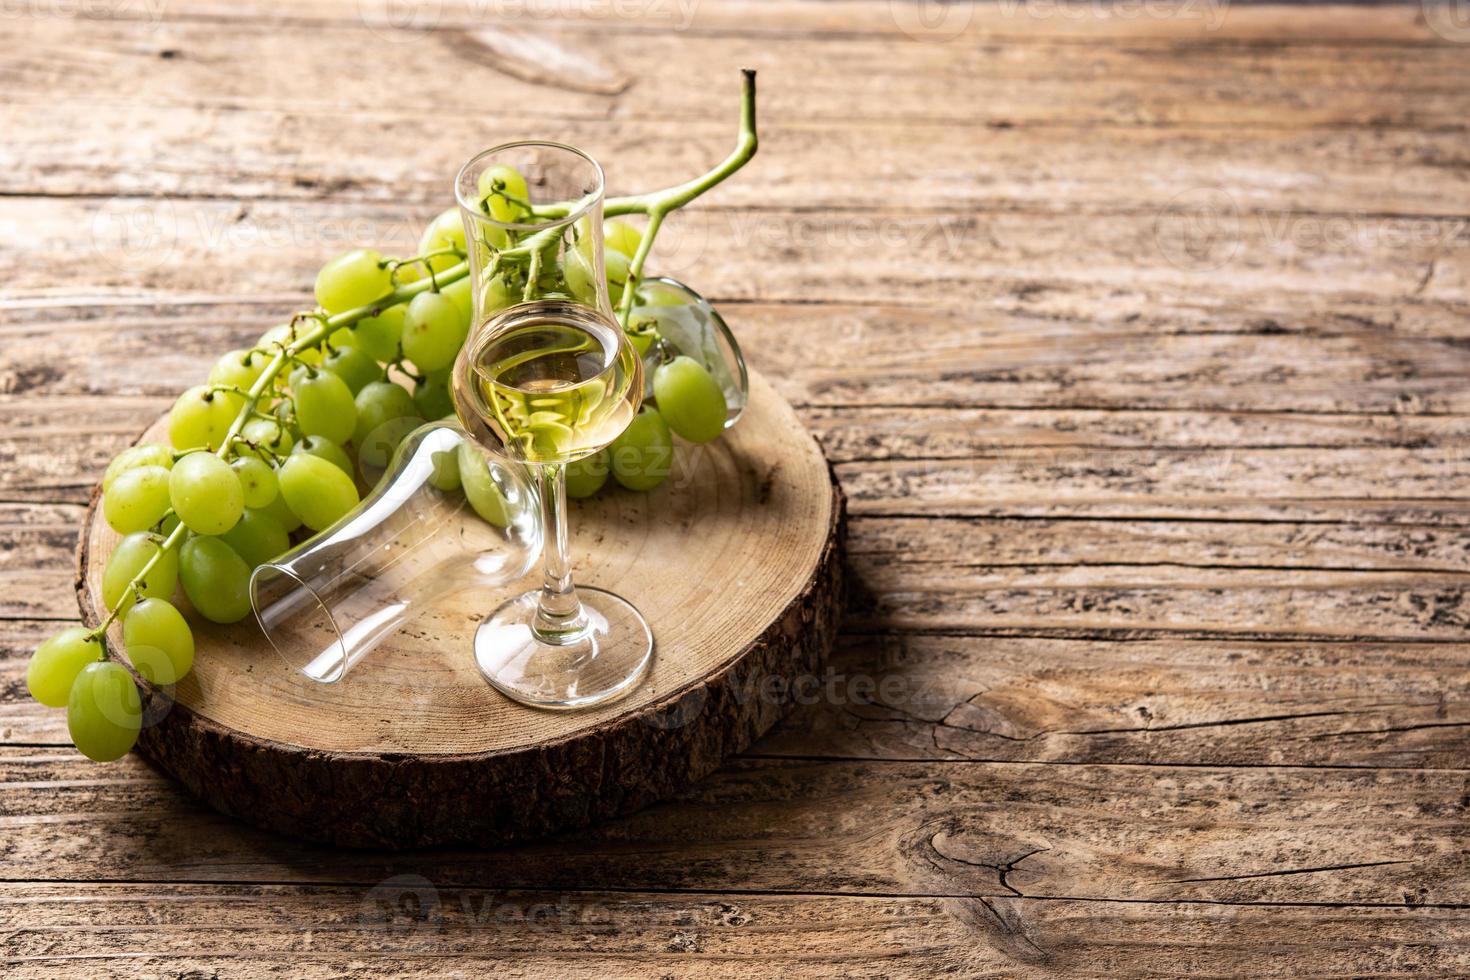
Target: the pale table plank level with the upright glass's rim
pixel 299 154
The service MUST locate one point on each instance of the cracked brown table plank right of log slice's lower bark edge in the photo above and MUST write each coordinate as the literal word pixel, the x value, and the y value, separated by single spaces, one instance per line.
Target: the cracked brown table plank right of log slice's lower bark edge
pixel 1149 703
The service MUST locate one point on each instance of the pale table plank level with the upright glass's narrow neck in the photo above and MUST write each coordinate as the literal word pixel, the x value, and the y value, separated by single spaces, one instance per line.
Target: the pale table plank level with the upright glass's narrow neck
pixel 1056 265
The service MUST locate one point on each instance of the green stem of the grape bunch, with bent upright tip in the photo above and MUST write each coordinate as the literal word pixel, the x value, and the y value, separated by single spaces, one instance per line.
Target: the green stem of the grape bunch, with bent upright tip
pixel 655 205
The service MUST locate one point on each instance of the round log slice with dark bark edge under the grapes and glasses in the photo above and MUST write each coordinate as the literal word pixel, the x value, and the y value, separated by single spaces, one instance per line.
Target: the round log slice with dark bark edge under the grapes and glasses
pixel 737 565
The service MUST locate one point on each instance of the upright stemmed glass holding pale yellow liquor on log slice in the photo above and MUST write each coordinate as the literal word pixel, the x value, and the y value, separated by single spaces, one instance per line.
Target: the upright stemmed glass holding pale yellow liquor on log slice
pixel 548 377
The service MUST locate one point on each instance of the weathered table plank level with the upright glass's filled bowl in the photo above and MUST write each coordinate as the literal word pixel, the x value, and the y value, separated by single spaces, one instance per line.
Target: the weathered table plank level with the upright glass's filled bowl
pixel 997 356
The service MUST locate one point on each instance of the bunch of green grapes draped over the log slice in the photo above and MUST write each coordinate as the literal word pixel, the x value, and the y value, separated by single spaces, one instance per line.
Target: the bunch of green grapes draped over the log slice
pixel 274 443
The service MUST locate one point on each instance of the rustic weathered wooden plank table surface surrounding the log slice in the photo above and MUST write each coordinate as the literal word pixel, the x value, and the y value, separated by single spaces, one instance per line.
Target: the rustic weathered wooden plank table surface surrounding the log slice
pixel 1139 339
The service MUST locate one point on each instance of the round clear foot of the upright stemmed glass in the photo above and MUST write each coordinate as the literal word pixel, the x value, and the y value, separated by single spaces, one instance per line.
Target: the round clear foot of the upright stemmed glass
pixel 596 666
